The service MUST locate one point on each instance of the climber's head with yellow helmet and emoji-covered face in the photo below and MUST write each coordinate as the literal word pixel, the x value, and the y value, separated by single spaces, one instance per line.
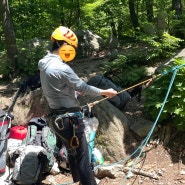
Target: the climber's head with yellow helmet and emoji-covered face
pixel 66 41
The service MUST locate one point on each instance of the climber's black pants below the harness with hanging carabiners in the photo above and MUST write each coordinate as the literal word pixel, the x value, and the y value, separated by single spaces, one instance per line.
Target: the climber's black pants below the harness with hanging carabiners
pixel 79 157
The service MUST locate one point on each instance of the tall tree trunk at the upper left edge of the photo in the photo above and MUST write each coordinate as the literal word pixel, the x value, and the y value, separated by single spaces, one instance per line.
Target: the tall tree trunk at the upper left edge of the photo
pixel 9 33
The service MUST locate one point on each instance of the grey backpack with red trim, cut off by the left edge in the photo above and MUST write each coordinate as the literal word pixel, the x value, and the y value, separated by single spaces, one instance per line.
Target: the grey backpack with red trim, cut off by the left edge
pixel 5 121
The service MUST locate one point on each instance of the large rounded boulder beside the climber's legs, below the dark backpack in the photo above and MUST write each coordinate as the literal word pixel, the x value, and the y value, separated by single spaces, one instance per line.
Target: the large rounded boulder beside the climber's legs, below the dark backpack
pixel 113 126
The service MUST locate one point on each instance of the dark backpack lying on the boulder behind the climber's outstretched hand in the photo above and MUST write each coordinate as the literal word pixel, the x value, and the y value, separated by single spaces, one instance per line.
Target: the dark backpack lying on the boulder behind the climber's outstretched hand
pixel 103 82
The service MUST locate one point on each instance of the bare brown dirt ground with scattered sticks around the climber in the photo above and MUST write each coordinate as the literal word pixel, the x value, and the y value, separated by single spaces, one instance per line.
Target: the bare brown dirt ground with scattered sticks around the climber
pixel 158 164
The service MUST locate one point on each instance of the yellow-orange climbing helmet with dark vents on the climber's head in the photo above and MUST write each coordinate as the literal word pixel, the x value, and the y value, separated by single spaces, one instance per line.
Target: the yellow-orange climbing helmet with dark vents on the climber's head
pixel 65 34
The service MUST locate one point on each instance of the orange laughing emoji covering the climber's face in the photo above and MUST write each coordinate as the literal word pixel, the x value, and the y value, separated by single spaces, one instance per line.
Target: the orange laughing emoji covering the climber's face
pixel 67 53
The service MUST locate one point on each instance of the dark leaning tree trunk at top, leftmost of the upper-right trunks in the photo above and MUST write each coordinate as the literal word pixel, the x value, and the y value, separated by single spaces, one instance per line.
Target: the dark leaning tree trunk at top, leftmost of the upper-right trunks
pixel 133 15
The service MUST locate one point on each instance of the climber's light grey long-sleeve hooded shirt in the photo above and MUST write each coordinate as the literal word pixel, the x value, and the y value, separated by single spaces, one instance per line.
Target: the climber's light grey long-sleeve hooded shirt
pixel 60 83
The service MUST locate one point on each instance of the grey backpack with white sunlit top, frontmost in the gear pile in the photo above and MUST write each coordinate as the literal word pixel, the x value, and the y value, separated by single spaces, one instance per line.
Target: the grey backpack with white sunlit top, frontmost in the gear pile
pixel 28 166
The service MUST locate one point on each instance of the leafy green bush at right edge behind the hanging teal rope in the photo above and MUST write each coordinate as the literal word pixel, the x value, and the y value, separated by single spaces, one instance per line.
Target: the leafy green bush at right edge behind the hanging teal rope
pixel 174 109
